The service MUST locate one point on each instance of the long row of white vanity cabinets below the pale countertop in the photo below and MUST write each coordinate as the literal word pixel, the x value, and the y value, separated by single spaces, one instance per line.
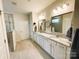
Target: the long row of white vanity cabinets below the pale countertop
pixel 56 49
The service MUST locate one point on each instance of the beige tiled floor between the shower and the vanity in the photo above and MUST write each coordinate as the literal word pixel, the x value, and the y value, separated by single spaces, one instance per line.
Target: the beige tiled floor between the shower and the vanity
pixel 28 50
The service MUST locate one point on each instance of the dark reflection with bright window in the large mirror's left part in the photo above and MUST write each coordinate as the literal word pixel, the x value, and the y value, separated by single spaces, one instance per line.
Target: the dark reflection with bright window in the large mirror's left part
pixel 56 24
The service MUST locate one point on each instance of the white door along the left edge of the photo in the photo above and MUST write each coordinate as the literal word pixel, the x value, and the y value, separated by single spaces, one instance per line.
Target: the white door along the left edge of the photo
pixel 3 52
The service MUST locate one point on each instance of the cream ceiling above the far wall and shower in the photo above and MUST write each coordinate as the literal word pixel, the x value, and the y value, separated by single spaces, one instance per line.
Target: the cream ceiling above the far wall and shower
pixel 25 6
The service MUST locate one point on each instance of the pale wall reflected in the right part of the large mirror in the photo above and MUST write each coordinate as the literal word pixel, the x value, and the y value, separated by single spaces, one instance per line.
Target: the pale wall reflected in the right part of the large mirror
pixel 67 19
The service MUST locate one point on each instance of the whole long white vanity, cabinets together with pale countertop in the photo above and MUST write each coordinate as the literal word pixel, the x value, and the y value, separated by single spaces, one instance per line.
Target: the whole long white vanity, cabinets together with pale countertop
pixel 57 47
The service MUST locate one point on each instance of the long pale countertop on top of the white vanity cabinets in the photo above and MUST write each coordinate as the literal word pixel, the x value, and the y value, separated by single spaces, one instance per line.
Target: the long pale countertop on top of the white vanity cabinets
pixel 59 39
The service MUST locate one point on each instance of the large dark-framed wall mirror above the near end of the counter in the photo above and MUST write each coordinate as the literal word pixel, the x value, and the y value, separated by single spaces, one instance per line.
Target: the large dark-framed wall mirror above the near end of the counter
pixel 61 23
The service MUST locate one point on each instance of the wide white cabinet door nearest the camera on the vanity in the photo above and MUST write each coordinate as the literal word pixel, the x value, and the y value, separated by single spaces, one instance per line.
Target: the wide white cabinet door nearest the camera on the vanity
pixel 59 51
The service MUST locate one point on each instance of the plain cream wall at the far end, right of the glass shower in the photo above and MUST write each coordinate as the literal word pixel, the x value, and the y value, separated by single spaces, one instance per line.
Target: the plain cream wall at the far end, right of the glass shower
pixel 21 26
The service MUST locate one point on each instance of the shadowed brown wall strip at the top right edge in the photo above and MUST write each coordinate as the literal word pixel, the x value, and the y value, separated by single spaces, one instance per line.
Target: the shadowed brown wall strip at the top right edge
pixel 75 21
